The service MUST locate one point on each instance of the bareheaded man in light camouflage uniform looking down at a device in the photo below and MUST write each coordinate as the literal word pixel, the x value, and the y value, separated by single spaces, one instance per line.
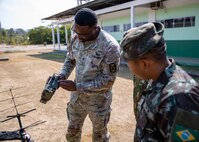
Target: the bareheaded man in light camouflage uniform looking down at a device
pixel 95 56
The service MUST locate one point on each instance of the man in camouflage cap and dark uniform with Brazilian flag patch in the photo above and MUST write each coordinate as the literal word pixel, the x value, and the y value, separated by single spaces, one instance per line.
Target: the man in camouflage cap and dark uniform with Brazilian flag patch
pixel 169 107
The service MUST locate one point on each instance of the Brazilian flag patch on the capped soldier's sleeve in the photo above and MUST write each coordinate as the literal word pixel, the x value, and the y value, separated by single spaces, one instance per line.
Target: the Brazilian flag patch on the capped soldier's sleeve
pixel 183 134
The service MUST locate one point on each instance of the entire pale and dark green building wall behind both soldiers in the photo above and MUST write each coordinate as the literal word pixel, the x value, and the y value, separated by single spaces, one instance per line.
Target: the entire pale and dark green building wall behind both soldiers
pixel 181 41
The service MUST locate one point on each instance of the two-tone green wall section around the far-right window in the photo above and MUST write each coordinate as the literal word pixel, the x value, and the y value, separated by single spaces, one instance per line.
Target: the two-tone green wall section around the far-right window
pixel 182 42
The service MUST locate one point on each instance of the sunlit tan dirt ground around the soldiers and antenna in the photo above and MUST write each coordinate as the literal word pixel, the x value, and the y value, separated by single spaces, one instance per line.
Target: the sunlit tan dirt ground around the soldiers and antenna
pixel 30 73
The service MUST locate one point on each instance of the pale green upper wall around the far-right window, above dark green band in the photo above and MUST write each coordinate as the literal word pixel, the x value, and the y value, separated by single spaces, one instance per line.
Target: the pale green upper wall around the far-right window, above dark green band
pixel 186 33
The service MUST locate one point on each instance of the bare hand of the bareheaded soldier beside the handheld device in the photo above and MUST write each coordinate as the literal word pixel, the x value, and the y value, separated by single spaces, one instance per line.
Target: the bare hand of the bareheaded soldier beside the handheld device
pixel 67 85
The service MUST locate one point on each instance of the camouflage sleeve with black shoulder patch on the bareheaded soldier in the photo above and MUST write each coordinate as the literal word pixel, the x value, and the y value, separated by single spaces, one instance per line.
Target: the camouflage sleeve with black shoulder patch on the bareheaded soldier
pixel 104 81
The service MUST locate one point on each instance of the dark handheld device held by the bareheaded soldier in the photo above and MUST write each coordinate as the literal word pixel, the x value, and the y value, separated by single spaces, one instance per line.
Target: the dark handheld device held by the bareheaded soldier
pixel 51 86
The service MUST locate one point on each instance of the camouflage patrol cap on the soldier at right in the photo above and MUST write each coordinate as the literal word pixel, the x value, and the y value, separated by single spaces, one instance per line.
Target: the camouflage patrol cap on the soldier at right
pixel 137 41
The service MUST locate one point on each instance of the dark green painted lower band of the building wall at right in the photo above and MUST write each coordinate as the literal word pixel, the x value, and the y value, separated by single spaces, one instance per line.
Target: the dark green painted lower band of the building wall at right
pixel 183 48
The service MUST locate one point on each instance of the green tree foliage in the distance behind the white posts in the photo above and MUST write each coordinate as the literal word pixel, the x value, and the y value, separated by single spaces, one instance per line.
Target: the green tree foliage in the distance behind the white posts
pixel 38 35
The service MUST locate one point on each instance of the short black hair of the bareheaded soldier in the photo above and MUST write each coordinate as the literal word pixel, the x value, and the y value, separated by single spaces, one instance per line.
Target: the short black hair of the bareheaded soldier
pixel 86 17
